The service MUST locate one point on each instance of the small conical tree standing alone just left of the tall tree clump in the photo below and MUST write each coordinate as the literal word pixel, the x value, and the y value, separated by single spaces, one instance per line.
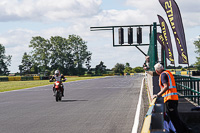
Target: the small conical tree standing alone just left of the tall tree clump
pixel 26 64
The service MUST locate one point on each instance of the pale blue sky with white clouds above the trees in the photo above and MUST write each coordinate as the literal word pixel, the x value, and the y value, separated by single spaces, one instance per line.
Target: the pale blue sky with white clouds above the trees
pixel 20 20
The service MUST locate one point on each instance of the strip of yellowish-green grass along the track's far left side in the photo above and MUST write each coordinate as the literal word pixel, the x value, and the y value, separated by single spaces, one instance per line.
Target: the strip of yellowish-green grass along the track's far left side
pixel 16 85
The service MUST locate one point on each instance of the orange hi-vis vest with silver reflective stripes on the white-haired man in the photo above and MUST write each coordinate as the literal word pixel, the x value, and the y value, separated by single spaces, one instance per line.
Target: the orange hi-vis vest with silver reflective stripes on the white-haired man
pixel 171 93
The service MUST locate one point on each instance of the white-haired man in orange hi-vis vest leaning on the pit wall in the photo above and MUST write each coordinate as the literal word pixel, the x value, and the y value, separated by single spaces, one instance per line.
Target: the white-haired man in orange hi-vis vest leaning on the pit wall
pixel 169 92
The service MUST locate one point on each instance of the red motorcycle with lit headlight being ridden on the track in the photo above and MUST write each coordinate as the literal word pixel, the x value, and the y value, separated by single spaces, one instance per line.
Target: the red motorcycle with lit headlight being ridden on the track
pixel 58 90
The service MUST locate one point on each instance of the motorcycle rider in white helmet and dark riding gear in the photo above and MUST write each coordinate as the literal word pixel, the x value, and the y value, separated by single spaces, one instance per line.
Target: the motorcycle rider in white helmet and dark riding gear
pixel 59 78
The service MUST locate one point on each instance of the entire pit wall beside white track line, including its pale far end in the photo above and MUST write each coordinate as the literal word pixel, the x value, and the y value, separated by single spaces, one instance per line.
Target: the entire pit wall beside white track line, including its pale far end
pixel 154 120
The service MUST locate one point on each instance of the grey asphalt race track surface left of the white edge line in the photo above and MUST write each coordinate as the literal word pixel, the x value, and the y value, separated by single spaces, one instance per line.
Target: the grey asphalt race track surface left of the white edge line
pixel 106 105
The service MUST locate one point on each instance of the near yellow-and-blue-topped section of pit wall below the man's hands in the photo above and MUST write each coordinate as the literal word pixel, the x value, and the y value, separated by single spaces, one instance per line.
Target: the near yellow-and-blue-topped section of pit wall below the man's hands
pixel 154 119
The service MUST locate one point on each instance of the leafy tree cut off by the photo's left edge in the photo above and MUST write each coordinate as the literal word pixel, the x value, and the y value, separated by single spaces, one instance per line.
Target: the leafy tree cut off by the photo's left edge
pixel 5 61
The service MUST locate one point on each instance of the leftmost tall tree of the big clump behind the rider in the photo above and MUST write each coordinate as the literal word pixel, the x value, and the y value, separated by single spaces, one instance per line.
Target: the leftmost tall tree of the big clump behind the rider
pixel 41 52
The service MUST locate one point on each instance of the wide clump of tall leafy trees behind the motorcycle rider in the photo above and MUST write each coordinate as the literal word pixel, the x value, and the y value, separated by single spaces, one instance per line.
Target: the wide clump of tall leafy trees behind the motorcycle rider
pixel 67 55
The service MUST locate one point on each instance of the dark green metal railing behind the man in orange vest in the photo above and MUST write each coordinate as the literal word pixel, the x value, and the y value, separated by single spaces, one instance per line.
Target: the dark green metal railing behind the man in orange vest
pixel 188 87
